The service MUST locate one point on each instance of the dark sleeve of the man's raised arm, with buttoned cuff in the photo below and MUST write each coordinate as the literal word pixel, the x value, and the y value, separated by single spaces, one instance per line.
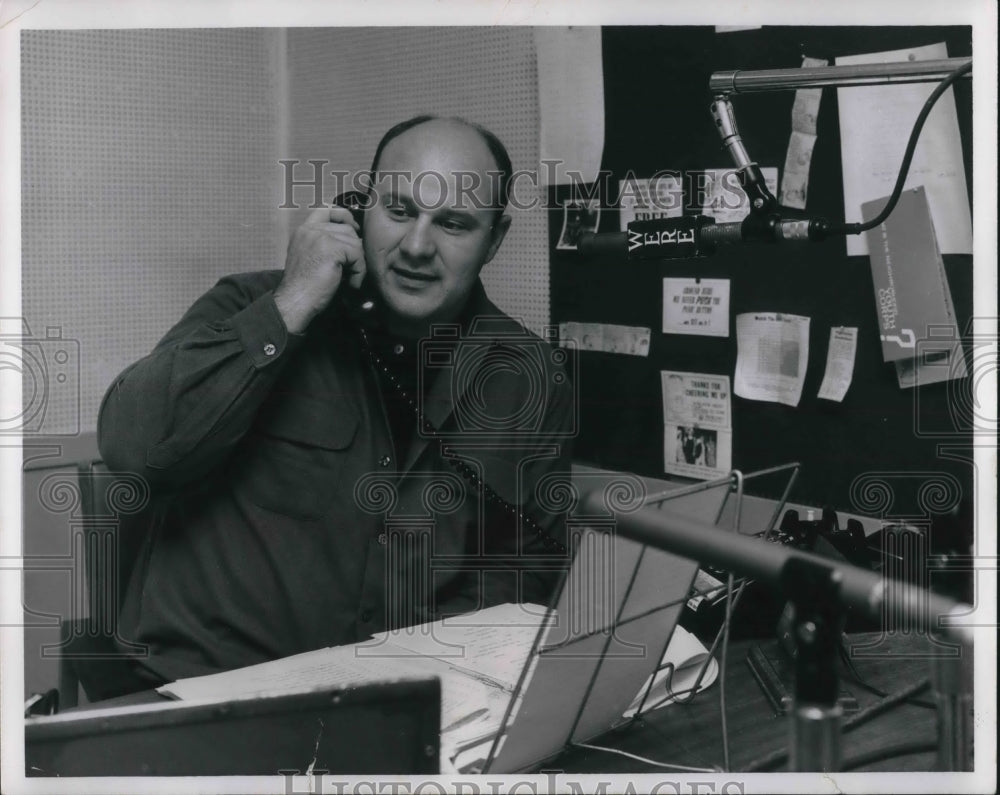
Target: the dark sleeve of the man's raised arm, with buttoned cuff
pixel 176 414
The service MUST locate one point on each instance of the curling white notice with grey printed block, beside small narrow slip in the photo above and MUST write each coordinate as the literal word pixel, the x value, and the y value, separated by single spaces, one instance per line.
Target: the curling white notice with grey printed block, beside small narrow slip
pixel 772 354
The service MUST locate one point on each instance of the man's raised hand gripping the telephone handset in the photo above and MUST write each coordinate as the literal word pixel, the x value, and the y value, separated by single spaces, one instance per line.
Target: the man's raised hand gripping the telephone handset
pixel 323 252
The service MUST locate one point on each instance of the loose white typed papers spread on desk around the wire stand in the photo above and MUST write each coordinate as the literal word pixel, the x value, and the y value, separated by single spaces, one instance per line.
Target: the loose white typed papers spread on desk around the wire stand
pixel 478 657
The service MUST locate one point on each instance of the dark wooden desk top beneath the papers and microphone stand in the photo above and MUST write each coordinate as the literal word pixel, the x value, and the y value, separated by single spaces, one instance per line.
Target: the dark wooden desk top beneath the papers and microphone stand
pixel 689 734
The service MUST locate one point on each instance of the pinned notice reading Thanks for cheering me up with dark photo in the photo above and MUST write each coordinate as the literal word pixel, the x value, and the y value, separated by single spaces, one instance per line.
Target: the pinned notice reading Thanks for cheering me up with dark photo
pixel 697 424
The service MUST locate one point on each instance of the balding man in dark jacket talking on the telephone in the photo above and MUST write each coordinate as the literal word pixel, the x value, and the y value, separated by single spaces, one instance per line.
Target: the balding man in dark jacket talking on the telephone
pixel 350 444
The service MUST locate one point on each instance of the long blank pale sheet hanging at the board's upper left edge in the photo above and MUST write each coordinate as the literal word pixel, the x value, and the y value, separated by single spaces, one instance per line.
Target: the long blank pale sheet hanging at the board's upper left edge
pixel 571 102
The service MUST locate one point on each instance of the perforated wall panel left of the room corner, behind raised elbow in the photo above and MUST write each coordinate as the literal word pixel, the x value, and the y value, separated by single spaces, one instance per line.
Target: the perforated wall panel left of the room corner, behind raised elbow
pixel 149 170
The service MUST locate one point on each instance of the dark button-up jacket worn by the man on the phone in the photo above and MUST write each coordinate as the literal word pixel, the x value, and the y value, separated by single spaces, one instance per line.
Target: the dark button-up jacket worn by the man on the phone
pixel 282 521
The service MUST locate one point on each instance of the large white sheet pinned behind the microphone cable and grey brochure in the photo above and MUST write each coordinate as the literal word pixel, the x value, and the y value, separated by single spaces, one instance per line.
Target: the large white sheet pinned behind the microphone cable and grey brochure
pixel 875 123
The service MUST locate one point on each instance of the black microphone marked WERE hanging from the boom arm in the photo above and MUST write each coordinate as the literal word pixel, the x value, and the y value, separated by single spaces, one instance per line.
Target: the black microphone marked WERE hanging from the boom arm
pixel 690 236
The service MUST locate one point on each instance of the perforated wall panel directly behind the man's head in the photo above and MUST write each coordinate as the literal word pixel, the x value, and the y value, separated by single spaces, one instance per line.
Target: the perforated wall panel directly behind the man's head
pixel 349 85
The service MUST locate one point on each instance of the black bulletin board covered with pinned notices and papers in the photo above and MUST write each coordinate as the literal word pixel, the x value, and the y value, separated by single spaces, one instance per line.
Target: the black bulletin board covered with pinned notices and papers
pixel 657 117
